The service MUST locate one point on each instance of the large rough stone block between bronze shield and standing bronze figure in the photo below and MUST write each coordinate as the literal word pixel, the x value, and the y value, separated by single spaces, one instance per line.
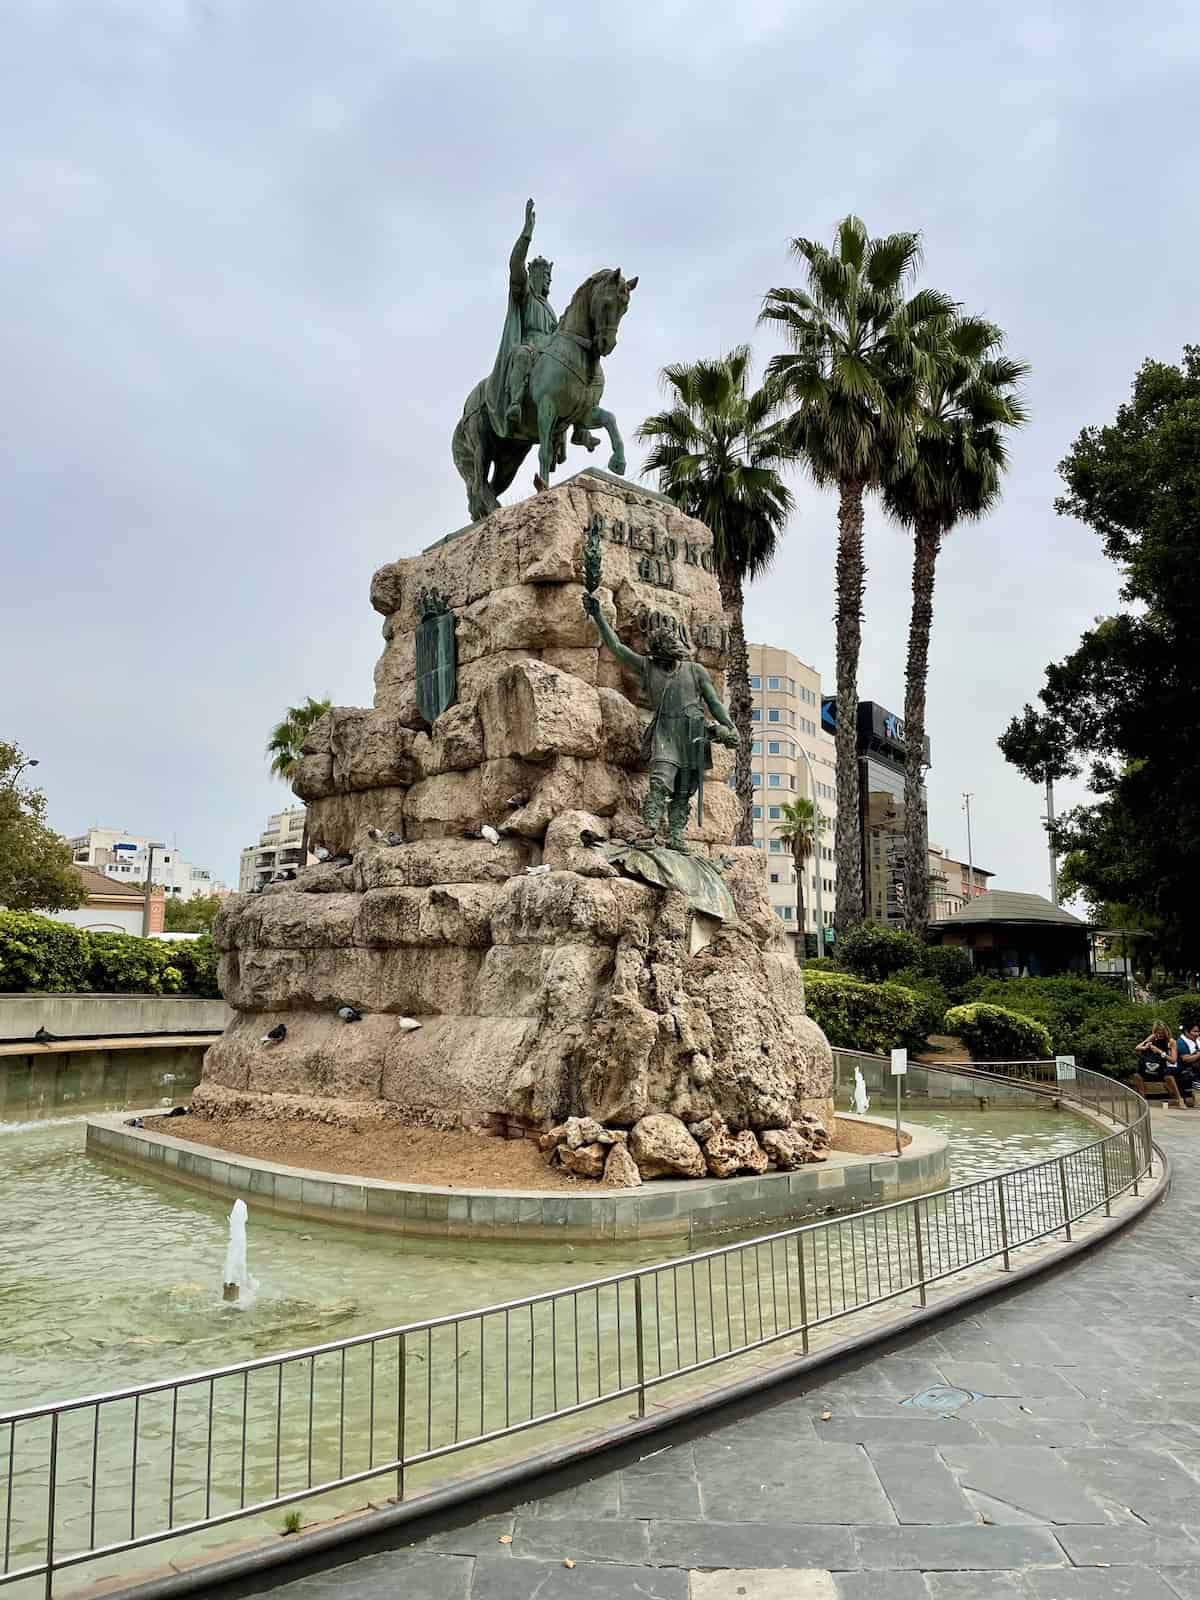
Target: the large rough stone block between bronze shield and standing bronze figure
pixel 537 713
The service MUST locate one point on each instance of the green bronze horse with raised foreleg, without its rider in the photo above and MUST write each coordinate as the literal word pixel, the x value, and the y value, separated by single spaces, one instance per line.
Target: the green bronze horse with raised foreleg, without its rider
pixel 564 391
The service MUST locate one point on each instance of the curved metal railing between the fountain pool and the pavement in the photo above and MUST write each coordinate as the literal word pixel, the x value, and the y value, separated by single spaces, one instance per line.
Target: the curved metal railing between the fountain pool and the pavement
pixel 102 1476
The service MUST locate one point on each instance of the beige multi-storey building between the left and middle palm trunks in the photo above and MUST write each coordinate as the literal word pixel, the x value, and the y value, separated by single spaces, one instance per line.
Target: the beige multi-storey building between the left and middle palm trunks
pixel 791 754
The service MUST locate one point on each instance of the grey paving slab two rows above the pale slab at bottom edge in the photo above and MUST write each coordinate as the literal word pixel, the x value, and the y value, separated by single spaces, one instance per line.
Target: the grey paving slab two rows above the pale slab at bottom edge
pixel 831 1484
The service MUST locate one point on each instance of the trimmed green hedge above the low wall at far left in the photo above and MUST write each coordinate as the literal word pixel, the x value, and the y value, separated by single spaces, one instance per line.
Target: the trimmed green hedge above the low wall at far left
pixel 41 956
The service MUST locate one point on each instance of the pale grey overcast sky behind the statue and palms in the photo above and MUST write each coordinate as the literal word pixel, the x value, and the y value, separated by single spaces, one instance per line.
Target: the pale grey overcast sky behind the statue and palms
pixel 254 257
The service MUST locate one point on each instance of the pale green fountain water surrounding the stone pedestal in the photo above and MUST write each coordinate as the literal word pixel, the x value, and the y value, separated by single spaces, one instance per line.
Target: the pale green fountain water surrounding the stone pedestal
pixel 111 1279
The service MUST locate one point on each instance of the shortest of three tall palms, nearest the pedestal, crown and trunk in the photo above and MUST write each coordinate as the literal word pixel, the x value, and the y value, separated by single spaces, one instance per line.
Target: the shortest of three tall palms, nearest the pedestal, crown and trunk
pixel 716 455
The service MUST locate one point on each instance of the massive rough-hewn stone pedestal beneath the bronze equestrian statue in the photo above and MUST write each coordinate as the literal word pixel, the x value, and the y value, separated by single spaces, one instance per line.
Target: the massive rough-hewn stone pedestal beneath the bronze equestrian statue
pixel 572 990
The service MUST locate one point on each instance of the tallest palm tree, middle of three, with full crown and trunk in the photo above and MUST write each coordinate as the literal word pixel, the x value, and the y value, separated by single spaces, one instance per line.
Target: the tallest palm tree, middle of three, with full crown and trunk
pixel 858 353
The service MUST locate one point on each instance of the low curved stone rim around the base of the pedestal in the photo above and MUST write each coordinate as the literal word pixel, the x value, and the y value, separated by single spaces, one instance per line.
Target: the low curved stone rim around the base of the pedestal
pixel 679 1214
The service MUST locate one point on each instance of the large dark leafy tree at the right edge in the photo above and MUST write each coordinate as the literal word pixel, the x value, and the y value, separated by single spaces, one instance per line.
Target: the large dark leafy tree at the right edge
pixel 1127 698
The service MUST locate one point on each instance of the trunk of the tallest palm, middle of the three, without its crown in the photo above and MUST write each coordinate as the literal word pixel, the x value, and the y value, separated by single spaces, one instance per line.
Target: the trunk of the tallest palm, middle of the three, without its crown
pixel 850 585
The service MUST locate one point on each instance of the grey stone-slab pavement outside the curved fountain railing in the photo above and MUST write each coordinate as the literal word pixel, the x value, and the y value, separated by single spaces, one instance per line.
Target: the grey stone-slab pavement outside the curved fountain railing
pixel 1074 1478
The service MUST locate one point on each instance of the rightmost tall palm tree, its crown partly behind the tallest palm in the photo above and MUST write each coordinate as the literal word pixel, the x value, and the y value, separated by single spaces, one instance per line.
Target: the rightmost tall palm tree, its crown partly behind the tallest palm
pixel 967 406
